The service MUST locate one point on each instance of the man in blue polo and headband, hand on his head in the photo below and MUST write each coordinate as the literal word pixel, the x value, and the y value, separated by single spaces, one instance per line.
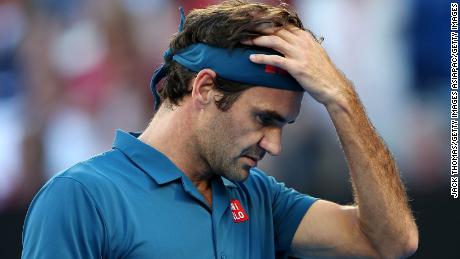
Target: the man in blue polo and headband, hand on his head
pixel 188 186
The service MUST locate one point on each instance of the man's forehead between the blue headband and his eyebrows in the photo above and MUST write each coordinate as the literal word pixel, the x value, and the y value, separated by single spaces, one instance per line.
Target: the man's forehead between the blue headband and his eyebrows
pixel 284 102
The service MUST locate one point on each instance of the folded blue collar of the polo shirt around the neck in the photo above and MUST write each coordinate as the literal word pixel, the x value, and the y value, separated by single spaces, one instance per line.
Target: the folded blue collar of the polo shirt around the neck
pixel 150 160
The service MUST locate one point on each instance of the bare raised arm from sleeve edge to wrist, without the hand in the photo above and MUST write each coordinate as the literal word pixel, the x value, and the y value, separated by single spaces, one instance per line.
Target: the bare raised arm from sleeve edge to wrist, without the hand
pixel 381 223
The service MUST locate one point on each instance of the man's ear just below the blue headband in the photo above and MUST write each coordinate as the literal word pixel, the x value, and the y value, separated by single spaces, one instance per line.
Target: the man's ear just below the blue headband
pixel 203 88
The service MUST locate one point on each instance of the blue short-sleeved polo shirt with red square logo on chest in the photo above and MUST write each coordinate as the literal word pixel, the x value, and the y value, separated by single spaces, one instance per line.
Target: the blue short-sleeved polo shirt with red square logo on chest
pixel 133 202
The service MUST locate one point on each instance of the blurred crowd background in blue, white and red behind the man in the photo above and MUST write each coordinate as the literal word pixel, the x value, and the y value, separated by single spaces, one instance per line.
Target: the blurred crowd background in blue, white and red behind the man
pixel 73 71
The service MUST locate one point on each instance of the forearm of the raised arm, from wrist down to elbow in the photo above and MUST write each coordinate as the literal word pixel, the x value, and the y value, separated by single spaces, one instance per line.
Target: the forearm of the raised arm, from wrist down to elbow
pixel 384 215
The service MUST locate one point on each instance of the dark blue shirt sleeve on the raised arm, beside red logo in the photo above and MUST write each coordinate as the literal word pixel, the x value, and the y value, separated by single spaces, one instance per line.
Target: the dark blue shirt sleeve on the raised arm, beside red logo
pixel 289 207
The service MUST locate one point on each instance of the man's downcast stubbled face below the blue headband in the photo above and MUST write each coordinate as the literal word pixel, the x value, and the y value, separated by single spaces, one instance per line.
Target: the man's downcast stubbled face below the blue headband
pixel 233 141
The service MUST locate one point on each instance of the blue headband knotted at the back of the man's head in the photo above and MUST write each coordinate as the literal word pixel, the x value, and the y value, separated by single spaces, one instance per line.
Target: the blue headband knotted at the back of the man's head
pixel 230 64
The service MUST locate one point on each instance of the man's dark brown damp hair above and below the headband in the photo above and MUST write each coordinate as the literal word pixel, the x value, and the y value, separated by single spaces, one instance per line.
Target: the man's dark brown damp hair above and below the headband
pixel 222 25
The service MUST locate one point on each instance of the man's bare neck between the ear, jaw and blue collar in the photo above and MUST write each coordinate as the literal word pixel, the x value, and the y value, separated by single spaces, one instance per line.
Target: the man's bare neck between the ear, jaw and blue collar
pixel 171 132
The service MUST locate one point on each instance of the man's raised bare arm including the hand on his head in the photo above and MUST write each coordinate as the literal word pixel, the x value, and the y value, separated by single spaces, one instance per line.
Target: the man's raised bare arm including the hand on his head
pixel 380 225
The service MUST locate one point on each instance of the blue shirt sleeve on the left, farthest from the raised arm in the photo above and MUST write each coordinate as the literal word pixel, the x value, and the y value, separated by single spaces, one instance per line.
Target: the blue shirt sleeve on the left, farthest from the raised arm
pixel 63 221
